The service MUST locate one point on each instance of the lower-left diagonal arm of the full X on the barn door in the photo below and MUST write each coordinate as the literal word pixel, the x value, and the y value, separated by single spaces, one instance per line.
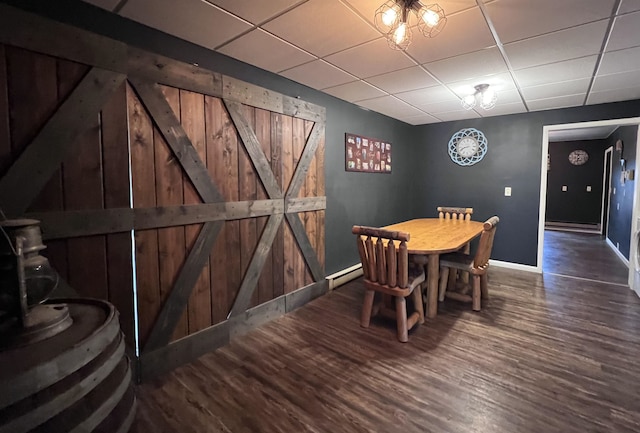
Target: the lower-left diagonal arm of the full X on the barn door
pixel 254 269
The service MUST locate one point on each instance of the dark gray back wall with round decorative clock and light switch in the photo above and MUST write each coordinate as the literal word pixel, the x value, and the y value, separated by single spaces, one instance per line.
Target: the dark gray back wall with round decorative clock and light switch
pixel 513 159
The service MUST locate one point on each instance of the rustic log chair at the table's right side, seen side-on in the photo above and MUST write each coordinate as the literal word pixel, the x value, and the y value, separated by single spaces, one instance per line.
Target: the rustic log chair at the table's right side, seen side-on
pixel 475 265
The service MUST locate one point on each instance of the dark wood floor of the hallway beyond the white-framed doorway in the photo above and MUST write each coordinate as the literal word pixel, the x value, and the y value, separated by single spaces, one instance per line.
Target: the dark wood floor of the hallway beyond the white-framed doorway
pixel 582 255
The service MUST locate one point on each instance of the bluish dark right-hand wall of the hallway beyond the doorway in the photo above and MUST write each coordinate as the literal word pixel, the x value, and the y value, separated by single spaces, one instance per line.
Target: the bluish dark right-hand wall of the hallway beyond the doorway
pixel 621 209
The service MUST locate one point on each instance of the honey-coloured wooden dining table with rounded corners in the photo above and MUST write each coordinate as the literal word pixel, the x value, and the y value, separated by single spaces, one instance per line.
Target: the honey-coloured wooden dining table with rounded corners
pixel 430 237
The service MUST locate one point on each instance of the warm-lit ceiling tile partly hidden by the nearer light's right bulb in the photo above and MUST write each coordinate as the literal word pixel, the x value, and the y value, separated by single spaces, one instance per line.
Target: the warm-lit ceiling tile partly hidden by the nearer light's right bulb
pixel 464 33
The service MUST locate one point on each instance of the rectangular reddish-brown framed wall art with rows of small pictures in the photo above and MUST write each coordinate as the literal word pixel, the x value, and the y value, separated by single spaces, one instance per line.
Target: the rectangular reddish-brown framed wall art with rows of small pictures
pixel 367 154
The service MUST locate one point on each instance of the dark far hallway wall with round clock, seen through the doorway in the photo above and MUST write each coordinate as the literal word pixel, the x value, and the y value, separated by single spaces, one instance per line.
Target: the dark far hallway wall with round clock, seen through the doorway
pixel 576 204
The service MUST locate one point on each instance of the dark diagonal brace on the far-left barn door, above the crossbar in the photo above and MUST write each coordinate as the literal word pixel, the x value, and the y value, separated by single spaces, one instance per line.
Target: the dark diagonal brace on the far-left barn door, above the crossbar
pixel 31 171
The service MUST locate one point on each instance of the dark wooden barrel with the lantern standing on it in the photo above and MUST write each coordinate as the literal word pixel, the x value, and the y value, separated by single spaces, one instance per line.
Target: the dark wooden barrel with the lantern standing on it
pixel 76 381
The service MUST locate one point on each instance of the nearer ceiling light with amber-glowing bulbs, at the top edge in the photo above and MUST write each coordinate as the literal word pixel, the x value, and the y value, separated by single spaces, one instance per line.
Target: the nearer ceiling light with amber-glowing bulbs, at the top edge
pixel 393 19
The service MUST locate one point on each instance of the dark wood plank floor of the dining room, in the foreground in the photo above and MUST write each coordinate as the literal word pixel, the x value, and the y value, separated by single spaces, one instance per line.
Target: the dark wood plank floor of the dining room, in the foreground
pixel 546 354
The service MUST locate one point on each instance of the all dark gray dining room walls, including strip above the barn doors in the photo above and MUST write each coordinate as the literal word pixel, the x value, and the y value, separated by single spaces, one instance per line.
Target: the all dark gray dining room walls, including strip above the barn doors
pixel 423 175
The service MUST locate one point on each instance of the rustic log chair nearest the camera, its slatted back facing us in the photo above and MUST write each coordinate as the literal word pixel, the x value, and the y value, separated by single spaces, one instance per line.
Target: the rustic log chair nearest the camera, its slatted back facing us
pixel 386 270
